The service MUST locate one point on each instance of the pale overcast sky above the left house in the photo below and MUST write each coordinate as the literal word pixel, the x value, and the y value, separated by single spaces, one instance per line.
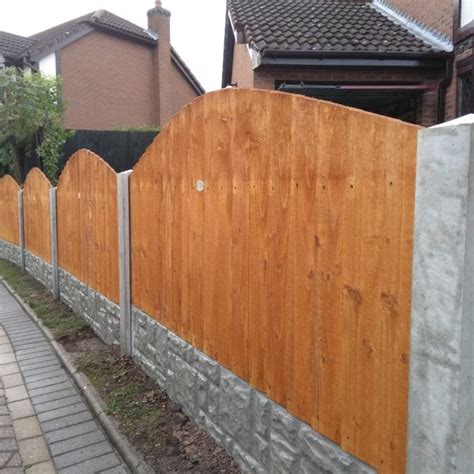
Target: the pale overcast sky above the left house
pixel 197 26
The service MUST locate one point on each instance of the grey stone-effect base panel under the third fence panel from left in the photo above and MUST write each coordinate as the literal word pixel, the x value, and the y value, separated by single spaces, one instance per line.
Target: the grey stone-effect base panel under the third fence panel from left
pixel 99 312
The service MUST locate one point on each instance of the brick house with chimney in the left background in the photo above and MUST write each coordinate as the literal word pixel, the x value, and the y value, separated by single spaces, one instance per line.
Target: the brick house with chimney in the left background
pixel 115 73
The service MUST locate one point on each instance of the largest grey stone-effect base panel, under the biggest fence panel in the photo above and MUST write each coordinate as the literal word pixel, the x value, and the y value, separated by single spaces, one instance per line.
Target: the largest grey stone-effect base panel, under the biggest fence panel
pixel 258 433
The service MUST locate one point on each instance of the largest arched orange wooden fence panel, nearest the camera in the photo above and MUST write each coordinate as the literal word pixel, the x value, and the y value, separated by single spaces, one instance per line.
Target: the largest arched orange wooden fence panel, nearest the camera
pixel 293 266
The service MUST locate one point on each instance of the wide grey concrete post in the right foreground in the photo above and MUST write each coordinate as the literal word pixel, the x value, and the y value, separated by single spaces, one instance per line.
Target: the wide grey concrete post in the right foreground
pixel 441 401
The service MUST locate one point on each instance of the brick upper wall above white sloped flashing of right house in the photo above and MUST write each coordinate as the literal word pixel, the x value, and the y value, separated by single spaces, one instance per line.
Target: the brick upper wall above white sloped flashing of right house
pixel 435 14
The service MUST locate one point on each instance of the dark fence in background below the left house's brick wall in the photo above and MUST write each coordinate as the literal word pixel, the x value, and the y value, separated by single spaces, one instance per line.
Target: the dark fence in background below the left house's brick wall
pixel 120 149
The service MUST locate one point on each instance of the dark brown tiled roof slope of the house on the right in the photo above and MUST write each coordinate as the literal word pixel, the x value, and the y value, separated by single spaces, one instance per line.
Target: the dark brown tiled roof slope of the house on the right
pixel 325 26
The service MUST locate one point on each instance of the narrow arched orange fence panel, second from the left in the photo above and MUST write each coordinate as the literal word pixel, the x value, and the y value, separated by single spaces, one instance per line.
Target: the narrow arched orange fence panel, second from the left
pixel 37 214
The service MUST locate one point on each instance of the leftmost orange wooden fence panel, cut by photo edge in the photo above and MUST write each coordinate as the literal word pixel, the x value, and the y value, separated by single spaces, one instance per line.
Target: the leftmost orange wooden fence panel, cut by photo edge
pixel 9 230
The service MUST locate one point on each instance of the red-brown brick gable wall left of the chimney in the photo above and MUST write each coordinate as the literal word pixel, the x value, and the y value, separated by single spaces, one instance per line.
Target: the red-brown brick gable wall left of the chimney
pixel 107 83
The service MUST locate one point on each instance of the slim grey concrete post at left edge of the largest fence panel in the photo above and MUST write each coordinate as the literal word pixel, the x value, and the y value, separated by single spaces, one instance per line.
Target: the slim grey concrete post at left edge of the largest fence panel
pixel 123 201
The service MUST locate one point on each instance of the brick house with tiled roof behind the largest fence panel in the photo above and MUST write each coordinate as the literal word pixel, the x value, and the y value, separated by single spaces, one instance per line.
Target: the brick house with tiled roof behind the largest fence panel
pixel 408 59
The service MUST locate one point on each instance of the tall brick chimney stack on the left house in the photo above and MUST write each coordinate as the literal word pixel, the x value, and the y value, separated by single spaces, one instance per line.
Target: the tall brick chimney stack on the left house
pixel 159 23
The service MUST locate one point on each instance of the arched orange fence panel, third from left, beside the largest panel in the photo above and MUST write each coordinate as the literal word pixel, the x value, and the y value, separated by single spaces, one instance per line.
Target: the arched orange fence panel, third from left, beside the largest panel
pixel 87 223
